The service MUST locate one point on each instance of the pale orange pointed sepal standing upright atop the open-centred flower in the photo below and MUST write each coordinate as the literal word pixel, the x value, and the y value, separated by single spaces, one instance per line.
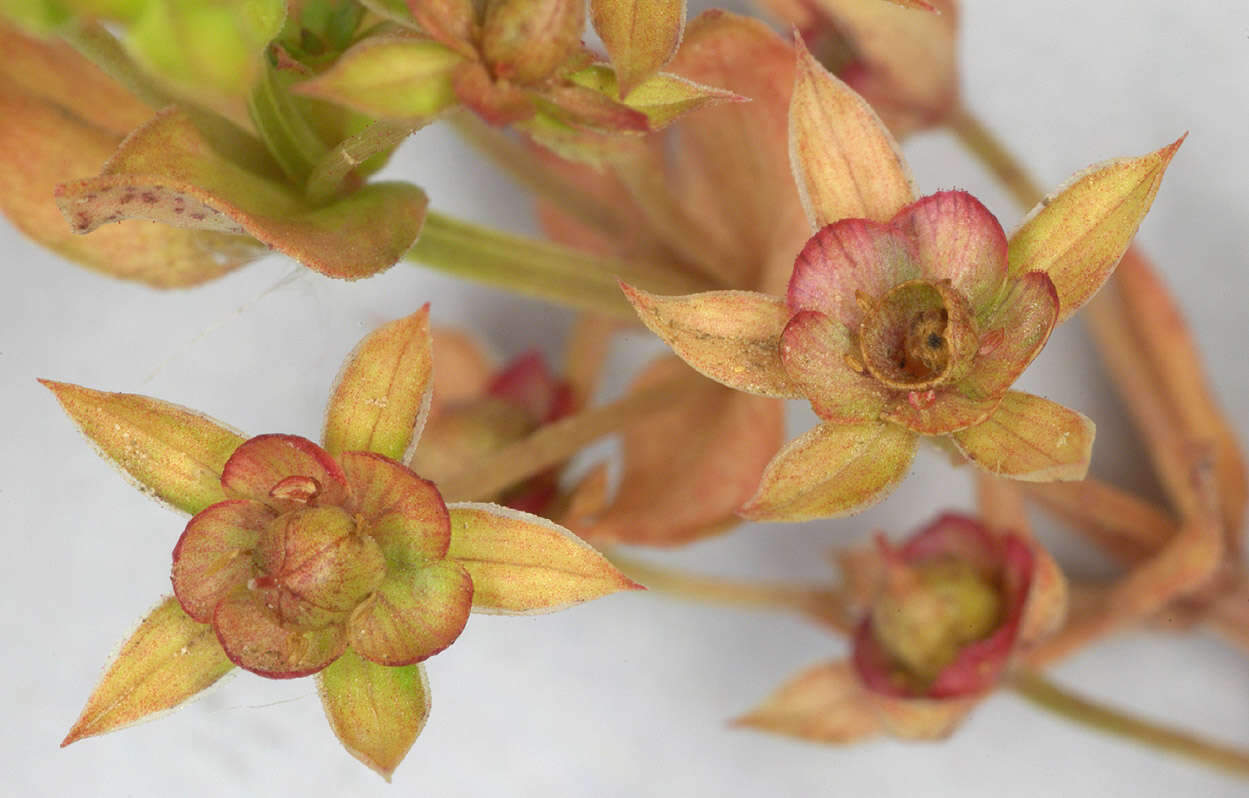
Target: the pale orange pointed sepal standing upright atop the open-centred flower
pixel 845 162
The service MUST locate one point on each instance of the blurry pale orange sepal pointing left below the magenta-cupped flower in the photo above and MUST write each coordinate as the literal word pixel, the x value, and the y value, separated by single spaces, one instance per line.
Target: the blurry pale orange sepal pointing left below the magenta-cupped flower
pixel 825 704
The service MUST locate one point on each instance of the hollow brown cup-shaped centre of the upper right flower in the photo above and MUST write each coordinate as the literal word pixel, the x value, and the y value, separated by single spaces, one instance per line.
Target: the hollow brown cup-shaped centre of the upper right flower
pixel 920 335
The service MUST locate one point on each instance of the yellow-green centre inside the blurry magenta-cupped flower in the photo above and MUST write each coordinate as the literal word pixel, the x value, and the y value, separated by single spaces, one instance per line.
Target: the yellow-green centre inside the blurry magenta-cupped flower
pixel 930 613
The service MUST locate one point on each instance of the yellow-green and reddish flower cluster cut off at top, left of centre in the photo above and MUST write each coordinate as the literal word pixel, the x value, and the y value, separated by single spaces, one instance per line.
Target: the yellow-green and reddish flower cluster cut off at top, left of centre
pixel 519 63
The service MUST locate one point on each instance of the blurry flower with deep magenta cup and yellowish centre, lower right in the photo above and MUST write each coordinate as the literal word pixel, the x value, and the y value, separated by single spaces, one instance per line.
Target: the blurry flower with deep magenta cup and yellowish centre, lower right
pixel 942 616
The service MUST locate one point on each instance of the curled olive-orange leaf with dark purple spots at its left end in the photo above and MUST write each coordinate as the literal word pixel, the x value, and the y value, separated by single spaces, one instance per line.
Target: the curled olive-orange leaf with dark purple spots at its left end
pixel 165 172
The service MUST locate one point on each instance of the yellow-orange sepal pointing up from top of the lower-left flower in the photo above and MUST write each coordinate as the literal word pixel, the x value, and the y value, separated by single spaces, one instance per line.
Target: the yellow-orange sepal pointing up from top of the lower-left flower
pixel 383 394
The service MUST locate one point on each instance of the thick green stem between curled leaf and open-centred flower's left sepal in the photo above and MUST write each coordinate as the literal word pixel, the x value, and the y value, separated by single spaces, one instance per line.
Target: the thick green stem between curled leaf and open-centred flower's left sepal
pixel 539 269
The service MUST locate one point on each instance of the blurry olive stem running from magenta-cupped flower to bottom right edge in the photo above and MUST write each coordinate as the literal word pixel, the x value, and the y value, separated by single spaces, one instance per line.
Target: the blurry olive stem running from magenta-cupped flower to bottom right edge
pixel 1054 699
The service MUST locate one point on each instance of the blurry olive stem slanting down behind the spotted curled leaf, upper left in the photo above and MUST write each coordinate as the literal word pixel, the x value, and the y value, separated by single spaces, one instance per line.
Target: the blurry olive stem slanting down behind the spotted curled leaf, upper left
pixel 99 47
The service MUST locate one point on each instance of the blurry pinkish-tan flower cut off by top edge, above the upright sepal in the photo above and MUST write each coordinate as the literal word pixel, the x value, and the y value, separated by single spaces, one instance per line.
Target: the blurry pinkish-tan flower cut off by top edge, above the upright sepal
pixel 901 57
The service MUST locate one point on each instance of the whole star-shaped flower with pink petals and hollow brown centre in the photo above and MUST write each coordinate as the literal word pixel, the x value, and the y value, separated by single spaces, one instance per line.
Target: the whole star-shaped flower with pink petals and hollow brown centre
pixel 907 318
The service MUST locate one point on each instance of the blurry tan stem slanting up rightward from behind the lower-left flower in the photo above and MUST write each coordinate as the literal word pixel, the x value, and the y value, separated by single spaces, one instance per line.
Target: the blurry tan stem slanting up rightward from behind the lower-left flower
pixel 556 443
